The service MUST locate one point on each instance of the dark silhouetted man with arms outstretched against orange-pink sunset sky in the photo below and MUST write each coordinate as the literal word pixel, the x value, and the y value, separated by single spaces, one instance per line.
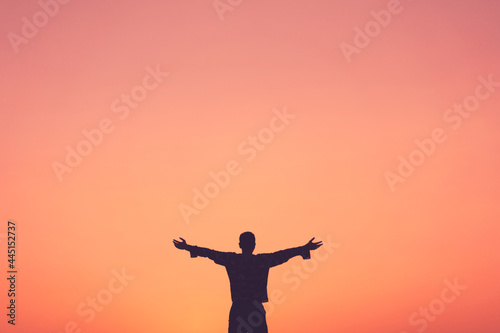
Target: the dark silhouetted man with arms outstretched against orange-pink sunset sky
pixel 248 278
